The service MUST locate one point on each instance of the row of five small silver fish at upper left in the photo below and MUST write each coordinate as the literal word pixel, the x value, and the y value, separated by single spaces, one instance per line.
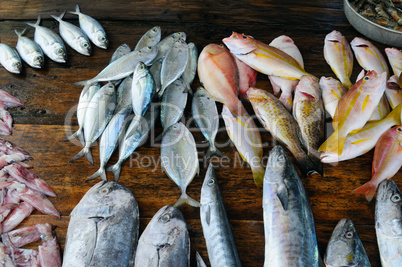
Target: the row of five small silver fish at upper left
pixel 48 43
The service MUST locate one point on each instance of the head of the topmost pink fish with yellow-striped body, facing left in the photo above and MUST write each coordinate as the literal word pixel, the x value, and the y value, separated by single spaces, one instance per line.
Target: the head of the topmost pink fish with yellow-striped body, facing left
pixel 240 44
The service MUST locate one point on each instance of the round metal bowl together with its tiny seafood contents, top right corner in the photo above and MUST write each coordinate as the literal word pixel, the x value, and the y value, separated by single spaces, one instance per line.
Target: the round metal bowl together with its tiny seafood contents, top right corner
pixel 378 20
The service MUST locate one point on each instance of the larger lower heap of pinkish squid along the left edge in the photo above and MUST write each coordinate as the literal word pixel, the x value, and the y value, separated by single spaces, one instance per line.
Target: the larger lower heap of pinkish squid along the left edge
pixel 22 191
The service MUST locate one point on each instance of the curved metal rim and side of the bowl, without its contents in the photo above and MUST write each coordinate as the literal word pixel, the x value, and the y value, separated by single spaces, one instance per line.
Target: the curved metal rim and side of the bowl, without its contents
pixel 371 29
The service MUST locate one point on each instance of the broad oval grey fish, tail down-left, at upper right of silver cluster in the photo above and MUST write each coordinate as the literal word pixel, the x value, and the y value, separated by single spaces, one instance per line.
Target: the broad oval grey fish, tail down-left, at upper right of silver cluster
pixel 174 63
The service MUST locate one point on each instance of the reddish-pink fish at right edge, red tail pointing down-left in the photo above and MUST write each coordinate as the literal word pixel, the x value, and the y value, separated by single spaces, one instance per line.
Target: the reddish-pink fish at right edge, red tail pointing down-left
pixel 386 162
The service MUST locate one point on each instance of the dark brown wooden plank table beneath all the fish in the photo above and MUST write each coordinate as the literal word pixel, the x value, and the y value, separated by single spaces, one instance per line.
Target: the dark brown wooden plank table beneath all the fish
pixel 49 97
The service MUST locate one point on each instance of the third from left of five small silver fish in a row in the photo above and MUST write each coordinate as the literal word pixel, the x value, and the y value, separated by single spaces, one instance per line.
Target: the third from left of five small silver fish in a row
pixel 50 42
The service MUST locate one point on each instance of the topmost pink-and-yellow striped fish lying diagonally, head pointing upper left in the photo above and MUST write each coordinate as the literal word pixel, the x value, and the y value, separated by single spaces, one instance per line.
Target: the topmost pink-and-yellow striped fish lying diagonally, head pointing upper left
pixel 264 58
